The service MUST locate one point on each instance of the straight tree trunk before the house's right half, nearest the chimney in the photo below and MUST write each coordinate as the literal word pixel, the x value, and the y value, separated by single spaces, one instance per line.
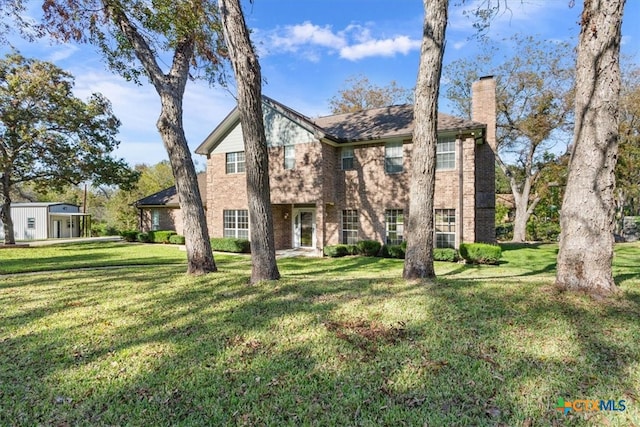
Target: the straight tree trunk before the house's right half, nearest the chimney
pixel 420 232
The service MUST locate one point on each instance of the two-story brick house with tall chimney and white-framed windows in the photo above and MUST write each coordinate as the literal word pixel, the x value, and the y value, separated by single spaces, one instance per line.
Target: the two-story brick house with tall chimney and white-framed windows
pixel 344 178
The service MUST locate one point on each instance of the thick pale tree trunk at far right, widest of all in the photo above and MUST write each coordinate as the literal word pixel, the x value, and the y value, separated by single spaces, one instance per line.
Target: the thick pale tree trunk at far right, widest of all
pixel 587 215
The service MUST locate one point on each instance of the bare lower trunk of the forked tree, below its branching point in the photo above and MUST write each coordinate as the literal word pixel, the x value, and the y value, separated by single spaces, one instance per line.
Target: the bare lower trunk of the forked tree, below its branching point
pixel 199 255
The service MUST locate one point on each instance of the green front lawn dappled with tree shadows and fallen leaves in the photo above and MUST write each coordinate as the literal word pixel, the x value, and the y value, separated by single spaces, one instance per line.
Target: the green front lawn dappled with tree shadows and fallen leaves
pixel 335 342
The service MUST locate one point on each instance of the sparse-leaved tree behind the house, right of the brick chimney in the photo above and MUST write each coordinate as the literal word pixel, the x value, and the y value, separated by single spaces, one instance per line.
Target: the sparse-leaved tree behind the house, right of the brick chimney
pixel 534 89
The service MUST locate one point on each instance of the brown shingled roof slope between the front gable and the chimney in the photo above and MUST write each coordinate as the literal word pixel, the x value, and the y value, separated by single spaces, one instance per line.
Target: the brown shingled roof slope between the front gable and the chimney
pixel 385 122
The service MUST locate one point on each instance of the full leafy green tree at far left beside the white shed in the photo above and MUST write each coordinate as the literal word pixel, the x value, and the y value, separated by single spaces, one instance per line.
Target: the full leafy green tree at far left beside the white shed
pixel 49 137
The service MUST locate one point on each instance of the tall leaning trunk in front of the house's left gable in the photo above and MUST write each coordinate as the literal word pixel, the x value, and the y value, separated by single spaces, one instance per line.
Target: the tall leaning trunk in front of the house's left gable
pixel 248 81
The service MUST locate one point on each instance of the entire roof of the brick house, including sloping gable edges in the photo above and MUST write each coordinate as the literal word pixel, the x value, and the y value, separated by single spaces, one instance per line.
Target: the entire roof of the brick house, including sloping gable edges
pixel 395 121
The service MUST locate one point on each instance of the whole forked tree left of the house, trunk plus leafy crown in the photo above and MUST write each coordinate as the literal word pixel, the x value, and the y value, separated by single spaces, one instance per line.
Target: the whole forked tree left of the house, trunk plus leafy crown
pixel 138 38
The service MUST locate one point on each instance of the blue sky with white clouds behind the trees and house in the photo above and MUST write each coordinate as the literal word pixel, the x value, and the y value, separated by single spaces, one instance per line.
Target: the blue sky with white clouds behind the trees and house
pixel 308 48
